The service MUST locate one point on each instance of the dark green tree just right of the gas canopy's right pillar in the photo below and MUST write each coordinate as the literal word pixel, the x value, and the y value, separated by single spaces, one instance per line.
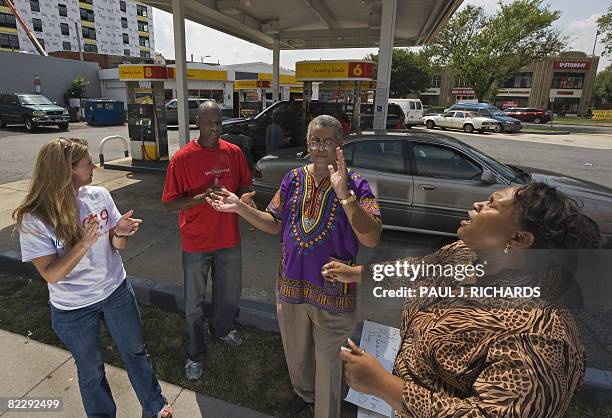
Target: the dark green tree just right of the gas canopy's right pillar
pixel 410 72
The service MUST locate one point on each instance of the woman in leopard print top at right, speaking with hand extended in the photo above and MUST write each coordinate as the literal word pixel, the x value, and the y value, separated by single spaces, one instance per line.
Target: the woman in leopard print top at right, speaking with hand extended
pixel 486 357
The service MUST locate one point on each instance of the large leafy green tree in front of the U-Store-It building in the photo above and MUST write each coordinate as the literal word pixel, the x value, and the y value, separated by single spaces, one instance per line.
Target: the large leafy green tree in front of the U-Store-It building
pixel 484 50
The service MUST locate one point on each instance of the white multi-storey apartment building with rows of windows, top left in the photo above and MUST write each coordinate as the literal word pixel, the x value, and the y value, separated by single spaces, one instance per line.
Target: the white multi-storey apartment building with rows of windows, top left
pixel 113 27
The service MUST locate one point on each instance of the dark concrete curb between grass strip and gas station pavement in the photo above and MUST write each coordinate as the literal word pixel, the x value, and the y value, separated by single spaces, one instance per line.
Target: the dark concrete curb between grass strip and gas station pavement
pixel 597 386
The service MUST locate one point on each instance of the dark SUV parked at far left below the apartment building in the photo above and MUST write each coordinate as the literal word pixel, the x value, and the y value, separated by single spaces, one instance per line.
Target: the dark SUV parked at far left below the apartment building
pixel 31 110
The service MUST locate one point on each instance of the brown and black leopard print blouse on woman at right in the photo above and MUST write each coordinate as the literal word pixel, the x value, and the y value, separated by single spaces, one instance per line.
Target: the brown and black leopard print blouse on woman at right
pixel 476 358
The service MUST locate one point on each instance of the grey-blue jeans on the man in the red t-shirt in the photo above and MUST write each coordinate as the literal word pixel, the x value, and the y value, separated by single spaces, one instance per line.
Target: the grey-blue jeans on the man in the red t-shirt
pixel 226 268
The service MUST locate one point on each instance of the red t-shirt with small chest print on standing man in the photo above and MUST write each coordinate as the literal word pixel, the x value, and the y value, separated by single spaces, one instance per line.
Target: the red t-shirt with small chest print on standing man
pixel 194 169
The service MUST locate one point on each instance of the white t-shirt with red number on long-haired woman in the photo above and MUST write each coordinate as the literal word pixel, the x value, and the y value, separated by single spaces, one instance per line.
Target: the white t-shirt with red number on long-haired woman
pixel 99 272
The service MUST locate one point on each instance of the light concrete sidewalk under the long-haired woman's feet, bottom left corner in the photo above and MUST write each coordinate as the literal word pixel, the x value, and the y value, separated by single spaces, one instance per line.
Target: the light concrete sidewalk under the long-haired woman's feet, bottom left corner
pixel 31 369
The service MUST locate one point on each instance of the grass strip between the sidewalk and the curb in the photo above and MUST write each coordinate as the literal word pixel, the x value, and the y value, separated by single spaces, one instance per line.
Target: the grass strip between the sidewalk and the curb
pixel 253 375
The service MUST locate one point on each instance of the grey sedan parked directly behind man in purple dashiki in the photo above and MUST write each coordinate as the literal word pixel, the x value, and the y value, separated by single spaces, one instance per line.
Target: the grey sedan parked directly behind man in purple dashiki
pixel 426 182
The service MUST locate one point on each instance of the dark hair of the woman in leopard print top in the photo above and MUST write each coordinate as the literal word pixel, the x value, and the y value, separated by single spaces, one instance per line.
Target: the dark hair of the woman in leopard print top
pixel 555 220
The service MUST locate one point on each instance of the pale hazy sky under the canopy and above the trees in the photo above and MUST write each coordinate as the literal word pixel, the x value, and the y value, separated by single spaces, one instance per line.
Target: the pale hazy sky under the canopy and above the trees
pixel 577 21
